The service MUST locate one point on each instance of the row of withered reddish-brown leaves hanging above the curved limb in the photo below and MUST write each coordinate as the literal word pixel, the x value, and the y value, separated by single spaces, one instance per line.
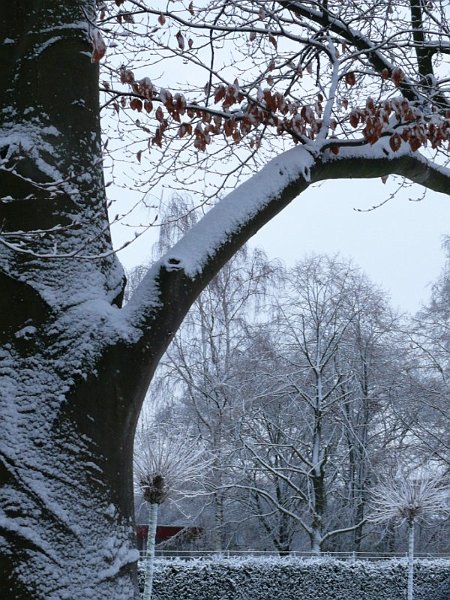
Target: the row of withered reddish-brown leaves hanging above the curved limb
pixel 235 116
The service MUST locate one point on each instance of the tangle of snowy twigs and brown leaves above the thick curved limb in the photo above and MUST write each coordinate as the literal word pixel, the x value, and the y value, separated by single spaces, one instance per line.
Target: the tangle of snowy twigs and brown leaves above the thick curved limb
pixel 266 74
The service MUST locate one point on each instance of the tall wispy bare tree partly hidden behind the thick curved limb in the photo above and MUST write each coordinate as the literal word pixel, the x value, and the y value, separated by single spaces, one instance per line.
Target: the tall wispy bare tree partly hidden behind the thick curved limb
pixel 201 369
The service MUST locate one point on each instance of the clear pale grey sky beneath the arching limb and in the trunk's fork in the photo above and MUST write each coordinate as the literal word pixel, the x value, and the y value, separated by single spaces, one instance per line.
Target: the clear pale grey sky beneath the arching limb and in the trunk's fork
pixel 398 245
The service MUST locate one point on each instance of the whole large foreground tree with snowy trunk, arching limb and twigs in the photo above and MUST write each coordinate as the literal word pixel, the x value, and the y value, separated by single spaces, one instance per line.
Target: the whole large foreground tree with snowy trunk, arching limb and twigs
pixel 75 364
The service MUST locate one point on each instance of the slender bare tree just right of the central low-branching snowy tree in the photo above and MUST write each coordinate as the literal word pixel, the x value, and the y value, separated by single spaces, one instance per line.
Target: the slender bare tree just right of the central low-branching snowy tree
pixel 372 355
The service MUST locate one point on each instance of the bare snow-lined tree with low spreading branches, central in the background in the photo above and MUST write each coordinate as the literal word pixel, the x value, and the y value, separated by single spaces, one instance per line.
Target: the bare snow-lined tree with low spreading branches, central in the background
pixel 293 434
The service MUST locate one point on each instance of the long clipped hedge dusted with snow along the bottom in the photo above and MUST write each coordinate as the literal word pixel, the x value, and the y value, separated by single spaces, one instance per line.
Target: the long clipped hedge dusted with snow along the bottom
pixel 297 579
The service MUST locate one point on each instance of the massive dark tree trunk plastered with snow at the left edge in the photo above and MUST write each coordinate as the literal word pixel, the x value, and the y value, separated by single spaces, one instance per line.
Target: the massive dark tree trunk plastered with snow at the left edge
pixel 66 521
